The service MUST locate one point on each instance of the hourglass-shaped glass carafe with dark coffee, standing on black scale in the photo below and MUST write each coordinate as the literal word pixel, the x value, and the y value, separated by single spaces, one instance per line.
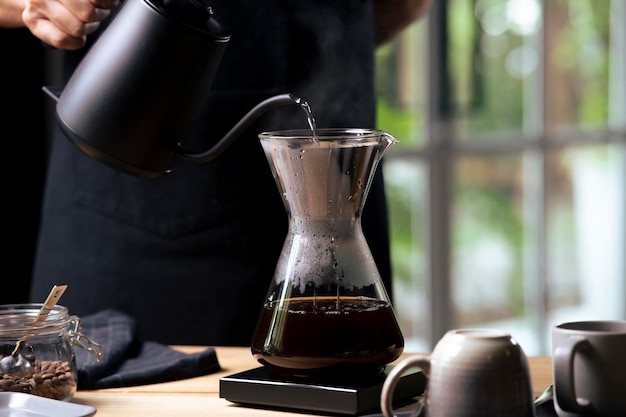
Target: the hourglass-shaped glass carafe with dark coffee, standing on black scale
pixel 326 311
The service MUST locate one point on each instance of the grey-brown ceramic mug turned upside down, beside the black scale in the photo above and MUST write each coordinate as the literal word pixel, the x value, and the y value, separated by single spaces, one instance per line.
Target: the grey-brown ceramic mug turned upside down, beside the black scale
pixel 471 372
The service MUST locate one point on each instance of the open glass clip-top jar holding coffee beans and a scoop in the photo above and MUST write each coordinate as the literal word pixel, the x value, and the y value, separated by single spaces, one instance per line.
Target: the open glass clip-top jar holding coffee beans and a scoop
pixel 47 351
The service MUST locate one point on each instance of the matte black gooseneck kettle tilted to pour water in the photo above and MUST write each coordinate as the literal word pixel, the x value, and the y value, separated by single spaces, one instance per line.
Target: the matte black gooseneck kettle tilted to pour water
pixel 133 98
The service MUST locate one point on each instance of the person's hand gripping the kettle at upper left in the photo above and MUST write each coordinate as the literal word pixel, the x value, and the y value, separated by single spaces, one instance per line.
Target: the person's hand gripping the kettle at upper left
pixel 65 24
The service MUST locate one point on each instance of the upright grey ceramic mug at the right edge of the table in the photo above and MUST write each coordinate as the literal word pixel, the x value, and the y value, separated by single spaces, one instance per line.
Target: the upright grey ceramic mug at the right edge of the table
pixel 589 366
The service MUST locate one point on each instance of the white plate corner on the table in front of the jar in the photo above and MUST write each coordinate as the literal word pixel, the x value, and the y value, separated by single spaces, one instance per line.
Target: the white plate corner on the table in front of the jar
pixel 18 404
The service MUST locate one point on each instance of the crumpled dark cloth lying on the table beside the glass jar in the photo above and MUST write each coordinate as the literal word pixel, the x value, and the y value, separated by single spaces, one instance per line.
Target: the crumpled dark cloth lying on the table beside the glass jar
pixel 127 361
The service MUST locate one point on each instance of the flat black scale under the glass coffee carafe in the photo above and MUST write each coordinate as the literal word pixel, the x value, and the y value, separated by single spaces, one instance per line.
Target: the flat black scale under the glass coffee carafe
pixel 259 387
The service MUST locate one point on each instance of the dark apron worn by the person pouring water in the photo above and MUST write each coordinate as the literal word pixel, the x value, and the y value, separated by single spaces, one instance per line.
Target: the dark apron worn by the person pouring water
pixel 191 255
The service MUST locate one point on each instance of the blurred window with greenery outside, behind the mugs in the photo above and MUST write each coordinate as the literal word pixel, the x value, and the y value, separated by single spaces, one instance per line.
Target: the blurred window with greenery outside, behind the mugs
pixel 507 191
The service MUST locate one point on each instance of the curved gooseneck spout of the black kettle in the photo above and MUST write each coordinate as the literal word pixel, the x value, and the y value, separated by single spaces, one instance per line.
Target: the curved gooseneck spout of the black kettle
pixel 244 123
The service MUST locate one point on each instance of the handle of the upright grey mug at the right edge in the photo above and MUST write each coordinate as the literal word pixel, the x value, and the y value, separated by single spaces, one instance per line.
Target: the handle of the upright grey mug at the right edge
pixel 565 390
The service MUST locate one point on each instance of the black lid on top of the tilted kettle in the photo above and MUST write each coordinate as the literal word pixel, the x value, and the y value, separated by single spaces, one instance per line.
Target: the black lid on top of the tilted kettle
pixel 196 14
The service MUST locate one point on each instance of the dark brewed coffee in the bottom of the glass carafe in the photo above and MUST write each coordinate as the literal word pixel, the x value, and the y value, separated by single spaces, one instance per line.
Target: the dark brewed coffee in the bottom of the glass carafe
pixel 320 334
